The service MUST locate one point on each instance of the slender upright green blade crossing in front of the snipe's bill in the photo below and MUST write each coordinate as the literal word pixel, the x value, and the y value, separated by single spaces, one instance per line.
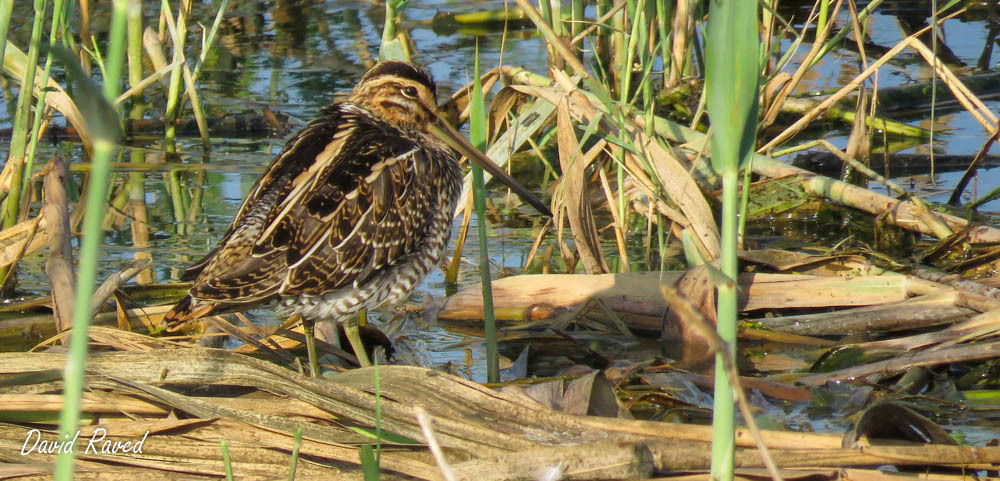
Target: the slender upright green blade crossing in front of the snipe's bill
pixel 477 134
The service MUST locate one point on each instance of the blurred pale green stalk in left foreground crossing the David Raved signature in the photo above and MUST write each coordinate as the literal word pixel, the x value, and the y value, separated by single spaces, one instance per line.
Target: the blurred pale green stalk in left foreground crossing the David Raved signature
pixel 104 147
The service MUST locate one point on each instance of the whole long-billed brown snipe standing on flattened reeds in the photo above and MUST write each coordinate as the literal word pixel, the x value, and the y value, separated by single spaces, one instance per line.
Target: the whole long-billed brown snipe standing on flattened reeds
pixel 352 214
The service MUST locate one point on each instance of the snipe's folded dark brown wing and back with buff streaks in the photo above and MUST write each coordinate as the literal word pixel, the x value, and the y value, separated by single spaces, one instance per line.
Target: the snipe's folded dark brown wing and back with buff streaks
pixel 331 210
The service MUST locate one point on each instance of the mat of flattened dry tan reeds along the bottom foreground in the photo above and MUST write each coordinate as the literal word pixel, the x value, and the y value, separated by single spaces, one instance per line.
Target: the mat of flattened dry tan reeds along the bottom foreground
pixel 487 428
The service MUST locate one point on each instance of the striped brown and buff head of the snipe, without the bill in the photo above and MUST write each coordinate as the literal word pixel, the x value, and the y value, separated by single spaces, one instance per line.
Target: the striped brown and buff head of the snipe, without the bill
pixel 398 93
